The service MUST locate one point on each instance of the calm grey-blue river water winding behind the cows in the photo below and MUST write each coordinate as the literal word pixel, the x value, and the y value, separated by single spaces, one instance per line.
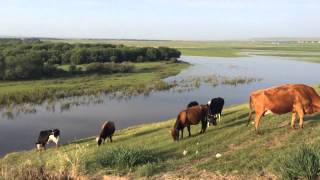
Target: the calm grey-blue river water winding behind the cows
pixel 20 133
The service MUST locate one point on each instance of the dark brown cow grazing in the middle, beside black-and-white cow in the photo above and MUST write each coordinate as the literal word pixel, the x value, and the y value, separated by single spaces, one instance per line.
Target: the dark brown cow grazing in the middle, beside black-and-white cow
pixel 188 117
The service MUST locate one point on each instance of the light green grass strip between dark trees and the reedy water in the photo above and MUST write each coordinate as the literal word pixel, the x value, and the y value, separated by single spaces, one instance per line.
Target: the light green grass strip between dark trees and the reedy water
pixel 37 91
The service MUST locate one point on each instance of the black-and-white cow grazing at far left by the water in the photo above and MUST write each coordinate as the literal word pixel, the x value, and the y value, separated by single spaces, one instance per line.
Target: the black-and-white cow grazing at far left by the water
pixel 47 136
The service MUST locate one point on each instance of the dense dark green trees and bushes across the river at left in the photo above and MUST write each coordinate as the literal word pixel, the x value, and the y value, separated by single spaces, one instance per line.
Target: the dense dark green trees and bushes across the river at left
pixel 35 59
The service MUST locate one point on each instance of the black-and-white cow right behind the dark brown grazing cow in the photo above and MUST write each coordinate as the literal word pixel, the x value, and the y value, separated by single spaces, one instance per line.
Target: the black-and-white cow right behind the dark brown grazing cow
pixel 216 106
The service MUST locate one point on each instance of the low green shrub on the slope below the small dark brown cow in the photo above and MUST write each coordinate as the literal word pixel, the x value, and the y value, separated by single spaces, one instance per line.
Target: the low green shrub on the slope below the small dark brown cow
pixel 125 157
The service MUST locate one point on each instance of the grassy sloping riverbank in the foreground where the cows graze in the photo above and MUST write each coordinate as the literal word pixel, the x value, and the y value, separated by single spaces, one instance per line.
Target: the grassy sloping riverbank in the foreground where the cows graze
pixel 148 150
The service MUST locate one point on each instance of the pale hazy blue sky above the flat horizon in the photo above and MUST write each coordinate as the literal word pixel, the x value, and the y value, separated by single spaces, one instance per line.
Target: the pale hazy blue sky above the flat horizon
pixel 160 19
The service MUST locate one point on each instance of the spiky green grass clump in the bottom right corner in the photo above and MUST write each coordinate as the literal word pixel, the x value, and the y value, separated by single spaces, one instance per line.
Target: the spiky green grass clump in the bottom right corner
pixel 304 164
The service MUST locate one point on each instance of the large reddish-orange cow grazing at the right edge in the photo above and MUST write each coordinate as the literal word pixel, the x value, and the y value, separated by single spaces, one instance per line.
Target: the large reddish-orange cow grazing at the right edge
pixel 296 98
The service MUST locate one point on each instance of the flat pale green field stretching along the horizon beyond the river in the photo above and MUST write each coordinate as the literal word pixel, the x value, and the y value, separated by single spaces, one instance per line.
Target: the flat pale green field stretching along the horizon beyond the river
pixel 307 51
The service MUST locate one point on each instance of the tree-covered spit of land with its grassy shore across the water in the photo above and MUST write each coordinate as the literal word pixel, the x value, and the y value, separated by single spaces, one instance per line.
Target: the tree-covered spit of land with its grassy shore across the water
pixel 32 71
